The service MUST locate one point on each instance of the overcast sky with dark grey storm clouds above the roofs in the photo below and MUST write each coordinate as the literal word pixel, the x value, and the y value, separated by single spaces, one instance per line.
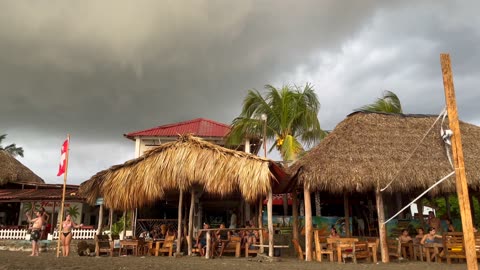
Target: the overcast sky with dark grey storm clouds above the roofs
pixel 99 69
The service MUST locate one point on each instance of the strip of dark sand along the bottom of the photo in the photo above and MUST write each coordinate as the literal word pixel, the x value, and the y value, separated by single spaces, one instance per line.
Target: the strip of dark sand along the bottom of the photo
pixel 48 260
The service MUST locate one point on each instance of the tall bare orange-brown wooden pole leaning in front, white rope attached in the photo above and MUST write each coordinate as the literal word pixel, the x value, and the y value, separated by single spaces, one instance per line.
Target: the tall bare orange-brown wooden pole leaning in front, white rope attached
pixel 461 179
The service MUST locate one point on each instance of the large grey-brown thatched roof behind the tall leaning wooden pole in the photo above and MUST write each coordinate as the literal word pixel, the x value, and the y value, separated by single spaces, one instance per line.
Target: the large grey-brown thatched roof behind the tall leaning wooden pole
pixel 369 148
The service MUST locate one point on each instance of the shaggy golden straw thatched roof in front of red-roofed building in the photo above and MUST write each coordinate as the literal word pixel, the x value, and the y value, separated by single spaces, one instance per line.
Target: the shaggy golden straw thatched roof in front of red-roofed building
pixel 178 166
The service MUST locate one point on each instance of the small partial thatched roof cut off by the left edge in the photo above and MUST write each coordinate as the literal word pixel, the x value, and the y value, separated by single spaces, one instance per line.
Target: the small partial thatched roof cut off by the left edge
pixel 12 171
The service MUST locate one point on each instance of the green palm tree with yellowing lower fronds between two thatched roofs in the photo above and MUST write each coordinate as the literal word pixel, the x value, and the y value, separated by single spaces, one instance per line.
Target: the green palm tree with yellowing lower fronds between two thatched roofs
pixel 292 117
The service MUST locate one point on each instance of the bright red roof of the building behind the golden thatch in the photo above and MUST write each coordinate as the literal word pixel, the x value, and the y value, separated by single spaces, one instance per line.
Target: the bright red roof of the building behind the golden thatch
pixel 200 127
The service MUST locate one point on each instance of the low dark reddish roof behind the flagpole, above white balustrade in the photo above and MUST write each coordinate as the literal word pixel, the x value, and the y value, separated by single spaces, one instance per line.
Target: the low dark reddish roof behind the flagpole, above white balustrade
pixel 38 194
